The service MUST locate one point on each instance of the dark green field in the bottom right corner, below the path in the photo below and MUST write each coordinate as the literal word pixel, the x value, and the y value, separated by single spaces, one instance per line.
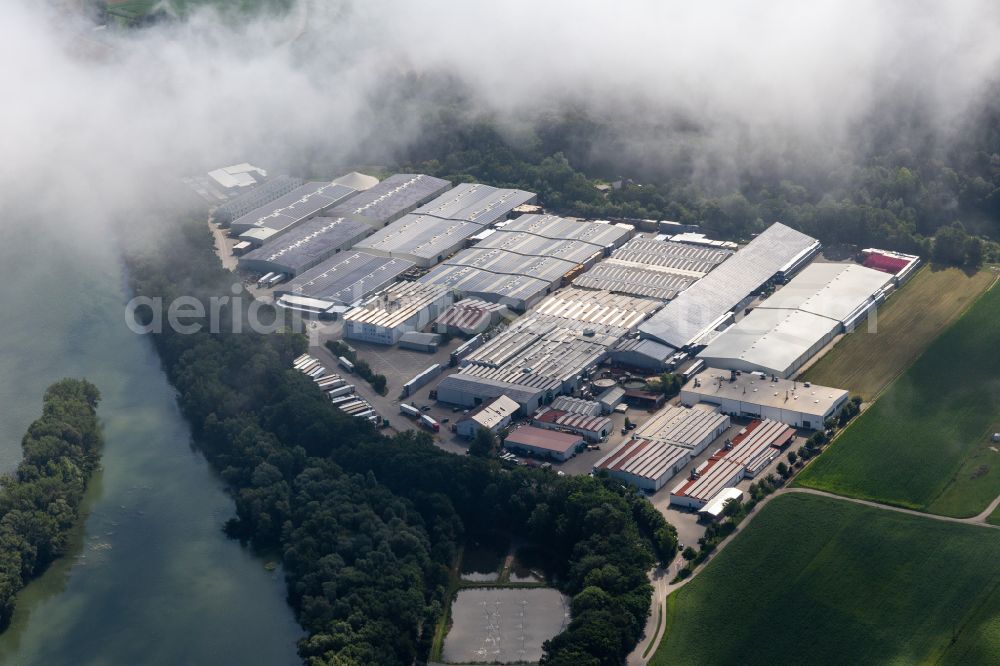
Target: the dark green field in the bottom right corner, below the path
pixel 815 580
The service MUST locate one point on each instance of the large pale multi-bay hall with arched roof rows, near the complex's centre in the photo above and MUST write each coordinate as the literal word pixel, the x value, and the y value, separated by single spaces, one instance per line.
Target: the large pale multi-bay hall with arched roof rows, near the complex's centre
pixel 525 259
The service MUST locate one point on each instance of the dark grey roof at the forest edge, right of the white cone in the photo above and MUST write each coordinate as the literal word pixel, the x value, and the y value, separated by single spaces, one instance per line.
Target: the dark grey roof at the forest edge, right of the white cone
pixel 392 198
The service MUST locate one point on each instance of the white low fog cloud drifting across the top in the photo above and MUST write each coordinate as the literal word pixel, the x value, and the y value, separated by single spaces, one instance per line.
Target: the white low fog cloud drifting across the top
pixel 98 119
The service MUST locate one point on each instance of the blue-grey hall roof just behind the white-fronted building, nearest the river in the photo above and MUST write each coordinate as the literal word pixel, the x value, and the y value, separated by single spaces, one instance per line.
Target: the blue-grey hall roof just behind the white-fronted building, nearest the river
pixel 346 278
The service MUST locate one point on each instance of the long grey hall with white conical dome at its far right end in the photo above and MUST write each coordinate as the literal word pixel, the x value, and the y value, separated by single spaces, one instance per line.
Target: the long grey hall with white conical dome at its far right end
pixel 285 212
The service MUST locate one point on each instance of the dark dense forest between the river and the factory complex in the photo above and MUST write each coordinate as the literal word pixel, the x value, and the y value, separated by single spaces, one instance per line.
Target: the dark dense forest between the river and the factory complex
pixel 369 526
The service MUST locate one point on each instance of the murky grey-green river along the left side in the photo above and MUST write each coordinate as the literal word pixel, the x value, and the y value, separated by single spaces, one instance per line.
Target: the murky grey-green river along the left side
pixel 152 579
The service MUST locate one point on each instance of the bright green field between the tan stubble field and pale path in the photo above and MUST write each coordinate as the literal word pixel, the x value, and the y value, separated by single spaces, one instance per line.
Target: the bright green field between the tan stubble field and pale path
pixel 925 444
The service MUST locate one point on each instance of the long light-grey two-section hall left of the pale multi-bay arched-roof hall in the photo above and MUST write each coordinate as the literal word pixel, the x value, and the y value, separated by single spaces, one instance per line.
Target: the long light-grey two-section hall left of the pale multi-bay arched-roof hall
pixel 440 228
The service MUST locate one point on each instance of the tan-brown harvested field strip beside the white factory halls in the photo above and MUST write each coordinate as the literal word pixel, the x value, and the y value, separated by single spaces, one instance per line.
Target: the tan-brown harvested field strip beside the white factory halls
pixel 864 363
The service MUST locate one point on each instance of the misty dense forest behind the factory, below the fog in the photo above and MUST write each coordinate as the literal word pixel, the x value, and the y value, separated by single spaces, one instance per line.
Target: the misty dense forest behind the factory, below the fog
pixel 899 185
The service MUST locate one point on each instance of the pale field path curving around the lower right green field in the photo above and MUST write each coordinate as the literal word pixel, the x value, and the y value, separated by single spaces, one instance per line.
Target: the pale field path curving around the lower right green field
pixel 662 588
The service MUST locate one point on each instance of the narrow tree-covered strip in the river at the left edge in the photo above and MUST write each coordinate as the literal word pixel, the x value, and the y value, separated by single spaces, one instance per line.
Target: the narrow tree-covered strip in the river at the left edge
pixel 40 501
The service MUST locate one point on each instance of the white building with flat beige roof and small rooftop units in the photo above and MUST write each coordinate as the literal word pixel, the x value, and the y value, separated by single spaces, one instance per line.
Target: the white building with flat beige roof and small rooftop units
pixel 756 395
